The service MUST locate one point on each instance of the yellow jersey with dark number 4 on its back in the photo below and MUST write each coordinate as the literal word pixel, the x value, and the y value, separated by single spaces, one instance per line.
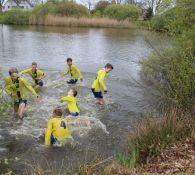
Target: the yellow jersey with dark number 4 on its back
pixel 59 128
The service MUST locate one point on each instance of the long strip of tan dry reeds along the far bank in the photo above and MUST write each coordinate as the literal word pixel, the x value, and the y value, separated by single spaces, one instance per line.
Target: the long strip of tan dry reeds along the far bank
pixel 51 20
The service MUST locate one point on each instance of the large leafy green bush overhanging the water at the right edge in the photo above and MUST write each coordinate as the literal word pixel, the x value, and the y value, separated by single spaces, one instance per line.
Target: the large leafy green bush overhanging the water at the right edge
pixel 172 73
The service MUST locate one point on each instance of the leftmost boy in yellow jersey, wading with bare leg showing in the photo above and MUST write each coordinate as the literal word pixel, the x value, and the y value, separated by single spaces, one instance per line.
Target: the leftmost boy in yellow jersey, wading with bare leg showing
pixel 15 87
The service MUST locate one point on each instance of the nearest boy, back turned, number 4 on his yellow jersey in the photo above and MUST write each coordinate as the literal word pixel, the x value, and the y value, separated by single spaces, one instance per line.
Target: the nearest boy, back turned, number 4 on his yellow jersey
pixel 58 128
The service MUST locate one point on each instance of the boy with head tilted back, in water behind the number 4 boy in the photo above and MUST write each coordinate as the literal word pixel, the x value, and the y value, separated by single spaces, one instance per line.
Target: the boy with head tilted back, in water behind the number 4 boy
pixel 71 102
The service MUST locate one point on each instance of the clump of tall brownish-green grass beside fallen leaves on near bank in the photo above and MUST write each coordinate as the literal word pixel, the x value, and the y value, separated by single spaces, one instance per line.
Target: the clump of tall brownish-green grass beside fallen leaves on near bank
pixel 156 132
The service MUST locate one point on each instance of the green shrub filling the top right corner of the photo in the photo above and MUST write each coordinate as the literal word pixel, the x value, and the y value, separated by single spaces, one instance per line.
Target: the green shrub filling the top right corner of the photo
pixel 175 20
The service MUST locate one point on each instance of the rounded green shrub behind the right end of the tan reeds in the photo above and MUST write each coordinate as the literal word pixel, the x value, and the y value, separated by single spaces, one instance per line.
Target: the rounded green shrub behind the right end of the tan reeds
pixel 122 12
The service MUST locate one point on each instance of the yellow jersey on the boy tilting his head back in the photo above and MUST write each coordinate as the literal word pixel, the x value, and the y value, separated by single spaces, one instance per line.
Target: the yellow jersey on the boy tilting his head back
pixel 71 103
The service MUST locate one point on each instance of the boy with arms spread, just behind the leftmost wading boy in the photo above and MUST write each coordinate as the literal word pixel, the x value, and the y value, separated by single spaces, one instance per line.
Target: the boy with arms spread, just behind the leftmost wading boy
pixel 36 74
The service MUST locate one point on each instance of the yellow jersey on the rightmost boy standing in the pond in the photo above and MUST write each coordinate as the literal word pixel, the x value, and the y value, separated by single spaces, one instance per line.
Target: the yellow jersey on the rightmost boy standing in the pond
pixel 98 83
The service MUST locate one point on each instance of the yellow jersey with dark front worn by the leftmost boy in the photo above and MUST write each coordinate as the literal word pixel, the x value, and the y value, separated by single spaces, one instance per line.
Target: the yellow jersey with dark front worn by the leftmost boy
pixel 17 88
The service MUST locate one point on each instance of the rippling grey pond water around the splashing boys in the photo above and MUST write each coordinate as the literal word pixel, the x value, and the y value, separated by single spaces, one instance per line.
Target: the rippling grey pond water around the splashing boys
pixel 90 49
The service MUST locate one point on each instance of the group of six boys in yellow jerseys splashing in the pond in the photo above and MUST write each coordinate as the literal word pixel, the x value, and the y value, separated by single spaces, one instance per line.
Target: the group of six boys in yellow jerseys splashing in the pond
pixel 58 127
